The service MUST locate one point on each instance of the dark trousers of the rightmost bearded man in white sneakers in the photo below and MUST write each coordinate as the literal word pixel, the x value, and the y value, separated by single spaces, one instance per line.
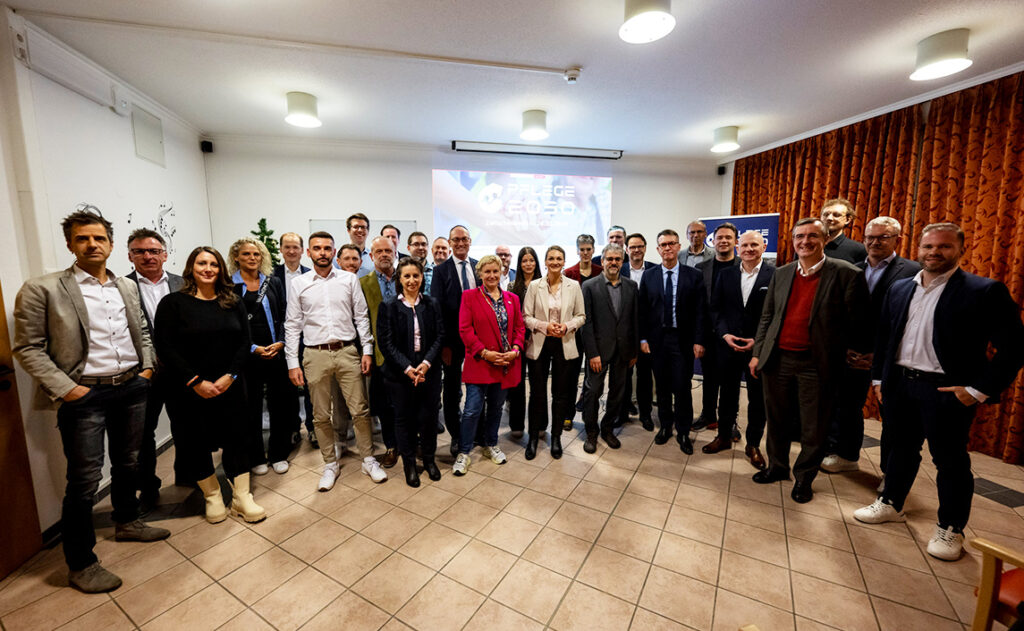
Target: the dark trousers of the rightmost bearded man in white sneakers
pixel 916 411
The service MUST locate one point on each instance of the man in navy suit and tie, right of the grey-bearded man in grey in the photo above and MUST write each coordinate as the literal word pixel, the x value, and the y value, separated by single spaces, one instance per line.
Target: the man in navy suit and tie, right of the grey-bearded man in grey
pixel 673 319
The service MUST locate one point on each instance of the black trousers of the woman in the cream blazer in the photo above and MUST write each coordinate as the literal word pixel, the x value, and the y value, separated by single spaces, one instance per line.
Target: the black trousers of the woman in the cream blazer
pixel 564 380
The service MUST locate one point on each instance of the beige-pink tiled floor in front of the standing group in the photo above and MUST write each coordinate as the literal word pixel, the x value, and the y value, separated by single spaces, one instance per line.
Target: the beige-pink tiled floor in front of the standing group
pixel 638 538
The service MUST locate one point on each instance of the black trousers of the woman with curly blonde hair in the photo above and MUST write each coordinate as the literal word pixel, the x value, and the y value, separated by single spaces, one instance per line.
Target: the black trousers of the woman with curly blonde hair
pixel 271 375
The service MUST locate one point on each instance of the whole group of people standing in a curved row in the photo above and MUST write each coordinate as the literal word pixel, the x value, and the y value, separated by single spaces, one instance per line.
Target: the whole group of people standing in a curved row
pixel 371 332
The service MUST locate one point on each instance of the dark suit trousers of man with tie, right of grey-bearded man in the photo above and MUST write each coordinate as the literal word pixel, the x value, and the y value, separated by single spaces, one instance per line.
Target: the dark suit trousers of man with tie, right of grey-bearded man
pixel 673 372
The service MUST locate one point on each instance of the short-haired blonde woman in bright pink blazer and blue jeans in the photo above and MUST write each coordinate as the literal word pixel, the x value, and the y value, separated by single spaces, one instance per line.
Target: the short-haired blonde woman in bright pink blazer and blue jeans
pixel 491 327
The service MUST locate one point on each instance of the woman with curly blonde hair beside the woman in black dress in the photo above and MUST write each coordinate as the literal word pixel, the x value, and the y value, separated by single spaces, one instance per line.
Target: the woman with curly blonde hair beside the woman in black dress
pixel 264 298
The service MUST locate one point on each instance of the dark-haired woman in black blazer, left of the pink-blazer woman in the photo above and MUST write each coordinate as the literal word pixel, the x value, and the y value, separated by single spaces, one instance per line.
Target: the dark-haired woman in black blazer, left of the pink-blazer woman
pixel 410 332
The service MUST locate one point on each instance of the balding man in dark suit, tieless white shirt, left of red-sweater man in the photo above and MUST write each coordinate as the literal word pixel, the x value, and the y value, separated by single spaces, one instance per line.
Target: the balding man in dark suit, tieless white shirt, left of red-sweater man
pixel 736 312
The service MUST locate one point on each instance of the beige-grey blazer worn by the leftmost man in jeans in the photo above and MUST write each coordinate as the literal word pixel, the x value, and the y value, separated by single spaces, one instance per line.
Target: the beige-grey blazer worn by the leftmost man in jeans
pixel 52 330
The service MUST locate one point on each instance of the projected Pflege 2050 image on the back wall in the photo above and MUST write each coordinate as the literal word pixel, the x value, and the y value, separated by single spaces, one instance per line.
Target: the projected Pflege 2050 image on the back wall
pixel 523 209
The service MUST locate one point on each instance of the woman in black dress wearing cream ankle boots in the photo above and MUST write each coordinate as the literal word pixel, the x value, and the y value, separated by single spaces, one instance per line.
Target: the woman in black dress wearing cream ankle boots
pixel 202 339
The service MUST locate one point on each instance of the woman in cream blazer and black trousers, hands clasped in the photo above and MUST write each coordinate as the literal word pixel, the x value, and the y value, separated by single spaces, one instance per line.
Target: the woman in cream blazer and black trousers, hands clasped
pixel 553 312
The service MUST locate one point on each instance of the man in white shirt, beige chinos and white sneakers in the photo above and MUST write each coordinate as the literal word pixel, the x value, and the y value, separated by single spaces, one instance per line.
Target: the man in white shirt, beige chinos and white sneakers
pixel 326 307
